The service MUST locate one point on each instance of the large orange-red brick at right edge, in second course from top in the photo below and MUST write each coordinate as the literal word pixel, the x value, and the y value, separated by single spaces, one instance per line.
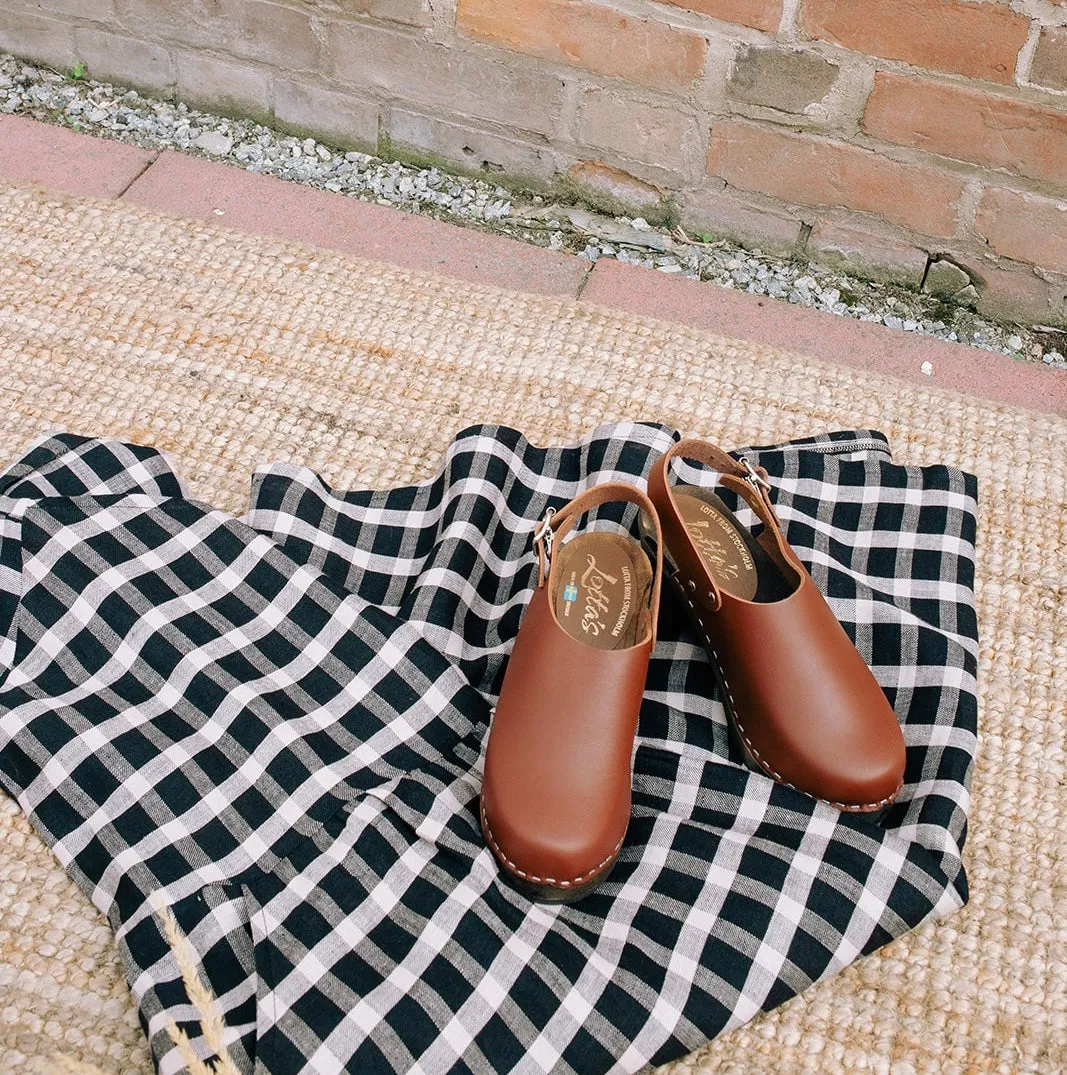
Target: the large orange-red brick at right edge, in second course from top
pixel 970 124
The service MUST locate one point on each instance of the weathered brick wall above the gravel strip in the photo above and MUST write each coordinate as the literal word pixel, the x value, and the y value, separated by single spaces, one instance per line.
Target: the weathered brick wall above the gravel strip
pixel 878 133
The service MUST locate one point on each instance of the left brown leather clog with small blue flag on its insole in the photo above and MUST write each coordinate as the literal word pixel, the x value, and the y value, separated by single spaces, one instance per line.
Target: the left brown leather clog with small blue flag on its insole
pixel 556 790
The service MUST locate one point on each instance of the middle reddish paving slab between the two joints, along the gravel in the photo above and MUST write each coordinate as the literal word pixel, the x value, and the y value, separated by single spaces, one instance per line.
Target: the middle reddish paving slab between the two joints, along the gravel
pixel 195 188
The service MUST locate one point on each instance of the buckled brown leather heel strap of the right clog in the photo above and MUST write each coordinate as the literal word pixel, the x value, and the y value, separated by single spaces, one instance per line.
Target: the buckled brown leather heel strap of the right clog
pixel 748 482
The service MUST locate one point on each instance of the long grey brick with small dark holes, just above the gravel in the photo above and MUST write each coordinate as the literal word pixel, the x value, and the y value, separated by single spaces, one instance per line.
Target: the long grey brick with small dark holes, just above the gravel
pixel 477 150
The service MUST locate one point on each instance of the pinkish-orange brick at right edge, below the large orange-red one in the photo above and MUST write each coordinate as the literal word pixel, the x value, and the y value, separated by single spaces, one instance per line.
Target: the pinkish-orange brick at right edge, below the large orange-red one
pixel 1025 227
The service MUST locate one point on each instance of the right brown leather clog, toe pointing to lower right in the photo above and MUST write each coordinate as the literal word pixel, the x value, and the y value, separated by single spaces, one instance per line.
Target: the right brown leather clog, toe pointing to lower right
pixel 800 699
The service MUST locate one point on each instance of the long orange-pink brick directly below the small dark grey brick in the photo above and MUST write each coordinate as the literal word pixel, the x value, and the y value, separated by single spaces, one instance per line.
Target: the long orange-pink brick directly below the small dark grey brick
pixel 814 171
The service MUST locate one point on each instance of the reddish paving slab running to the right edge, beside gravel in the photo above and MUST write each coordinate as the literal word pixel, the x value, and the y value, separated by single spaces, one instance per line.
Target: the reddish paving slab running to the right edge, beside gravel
pixel 827 336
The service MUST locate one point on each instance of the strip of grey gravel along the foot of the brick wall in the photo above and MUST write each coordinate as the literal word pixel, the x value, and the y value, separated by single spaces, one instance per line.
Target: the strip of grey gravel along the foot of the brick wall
pixel 125 116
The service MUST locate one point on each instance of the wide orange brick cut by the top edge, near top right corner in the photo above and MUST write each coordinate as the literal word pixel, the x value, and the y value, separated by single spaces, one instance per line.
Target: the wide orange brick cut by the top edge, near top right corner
pixel 982 40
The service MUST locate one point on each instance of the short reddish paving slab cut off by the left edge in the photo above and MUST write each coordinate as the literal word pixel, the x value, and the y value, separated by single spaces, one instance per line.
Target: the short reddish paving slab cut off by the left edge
pixel 62 160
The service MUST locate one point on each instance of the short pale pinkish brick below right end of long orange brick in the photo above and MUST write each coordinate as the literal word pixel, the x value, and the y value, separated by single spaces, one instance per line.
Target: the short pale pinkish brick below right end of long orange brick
pixel 651 134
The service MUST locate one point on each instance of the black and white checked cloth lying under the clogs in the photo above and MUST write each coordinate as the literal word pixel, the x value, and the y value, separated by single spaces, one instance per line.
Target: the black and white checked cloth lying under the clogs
pixel 276 727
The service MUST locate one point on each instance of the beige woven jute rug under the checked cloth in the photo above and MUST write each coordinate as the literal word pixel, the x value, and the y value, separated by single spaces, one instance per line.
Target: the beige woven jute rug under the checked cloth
pixel 229 351
